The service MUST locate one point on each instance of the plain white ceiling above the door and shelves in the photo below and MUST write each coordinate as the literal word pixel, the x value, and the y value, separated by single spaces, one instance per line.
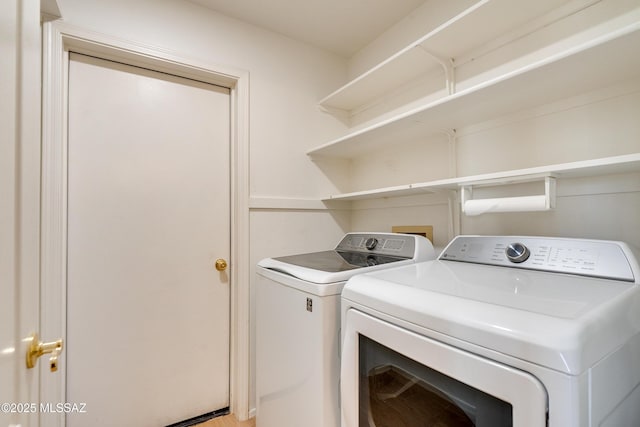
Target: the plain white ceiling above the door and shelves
pixel 340 26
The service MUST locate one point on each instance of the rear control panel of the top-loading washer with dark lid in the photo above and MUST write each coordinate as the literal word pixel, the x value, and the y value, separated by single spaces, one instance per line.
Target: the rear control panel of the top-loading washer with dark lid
pixel 400 245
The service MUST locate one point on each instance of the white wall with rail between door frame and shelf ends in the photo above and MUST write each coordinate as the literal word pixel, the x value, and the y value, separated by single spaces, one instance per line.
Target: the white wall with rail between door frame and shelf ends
pixel 287 78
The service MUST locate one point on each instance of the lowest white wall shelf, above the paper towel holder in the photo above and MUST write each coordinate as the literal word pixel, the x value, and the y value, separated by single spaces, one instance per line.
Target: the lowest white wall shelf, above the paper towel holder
pixel 603 166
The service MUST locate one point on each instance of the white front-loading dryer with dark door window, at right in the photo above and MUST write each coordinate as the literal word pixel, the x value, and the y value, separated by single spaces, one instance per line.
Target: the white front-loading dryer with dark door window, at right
pixel 498 331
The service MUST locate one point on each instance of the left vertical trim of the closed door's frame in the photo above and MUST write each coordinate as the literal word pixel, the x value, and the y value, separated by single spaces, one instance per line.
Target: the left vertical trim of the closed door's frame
pixel 53 211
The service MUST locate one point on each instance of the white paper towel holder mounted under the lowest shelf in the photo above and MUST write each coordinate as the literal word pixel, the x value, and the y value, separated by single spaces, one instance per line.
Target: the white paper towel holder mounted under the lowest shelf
pixel 544 202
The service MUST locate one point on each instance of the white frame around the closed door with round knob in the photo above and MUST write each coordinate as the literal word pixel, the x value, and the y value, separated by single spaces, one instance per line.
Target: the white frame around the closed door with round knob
pixel 58 40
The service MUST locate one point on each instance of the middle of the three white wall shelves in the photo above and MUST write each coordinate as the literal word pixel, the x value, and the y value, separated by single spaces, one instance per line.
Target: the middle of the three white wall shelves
pixel 598 63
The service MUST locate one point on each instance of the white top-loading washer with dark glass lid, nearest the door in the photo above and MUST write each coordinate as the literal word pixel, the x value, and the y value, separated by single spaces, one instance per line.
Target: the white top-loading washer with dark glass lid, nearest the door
pixel 298 321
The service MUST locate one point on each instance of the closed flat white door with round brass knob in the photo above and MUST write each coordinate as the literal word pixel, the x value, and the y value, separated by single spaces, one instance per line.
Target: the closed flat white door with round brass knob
pixel 148 215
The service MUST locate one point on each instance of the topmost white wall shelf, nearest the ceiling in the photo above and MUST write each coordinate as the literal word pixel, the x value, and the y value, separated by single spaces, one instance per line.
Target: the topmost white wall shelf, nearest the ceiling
pixel 449 40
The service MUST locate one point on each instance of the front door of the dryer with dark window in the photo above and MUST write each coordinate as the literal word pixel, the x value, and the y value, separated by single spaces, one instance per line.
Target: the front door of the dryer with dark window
pixel 391 376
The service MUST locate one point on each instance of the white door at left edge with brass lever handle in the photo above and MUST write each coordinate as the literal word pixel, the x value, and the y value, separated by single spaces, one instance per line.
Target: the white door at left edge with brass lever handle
pixel 19 209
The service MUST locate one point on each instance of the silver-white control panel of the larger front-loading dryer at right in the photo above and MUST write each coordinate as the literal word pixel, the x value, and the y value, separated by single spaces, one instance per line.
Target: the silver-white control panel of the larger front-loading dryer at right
pixel 595 258
